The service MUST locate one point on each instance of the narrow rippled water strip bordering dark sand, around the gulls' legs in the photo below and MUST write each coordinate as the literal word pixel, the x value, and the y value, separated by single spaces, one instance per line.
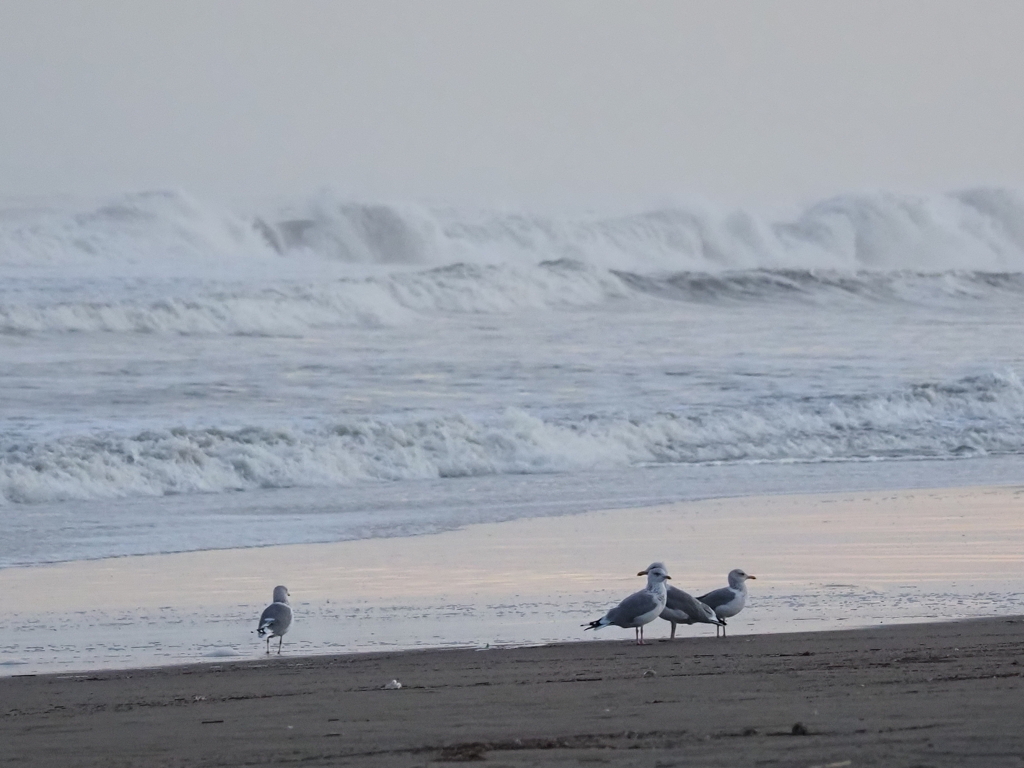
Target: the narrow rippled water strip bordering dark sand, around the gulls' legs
pixel 95 641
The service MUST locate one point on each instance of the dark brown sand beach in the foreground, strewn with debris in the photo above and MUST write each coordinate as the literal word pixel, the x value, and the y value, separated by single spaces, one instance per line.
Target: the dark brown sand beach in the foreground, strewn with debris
pixel 924 695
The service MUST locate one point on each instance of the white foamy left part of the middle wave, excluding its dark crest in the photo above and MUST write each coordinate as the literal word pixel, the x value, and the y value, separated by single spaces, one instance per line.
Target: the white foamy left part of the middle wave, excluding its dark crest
pixel 293 309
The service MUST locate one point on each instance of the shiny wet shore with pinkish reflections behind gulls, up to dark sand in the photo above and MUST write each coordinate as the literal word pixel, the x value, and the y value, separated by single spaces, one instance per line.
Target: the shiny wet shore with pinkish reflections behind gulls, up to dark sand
pixel 823 562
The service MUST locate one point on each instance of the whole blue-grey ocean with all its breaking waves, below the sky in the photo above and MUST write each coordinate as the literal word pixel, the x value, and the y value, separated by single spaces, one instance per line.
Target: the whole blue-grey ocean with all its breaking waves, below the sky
pixel 176 376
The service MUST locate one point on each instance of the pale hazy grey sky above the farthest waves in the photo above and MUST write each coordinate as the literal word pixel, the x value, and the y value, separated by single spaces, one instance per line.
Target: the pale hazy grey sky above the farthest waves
pixel 525 102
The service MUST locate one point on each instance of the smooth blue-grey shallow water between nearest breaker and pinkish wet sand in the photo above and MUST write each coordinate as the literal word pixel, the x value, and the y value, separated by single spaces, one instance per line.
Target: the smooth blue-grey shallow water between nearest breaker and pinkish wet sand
pixel 177 525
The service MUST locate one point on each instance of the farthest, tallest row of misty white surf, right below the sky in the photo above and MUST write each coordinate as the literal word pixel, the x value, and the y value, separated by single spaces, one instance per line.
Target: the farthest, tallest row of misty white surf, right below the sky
pixel 978 231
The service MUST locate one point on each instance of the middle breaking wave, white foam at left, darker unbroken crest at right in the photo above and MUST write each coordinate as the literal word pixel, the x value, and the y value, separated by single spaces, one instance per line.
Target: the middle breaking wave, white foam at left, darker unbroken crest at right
pixel 292 310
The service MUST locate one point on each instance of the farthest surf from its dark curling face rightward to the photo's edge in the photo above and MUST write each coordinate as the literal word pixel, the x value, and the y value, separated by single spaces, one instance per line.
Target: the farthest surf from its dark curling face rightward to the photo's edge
pixel 980 230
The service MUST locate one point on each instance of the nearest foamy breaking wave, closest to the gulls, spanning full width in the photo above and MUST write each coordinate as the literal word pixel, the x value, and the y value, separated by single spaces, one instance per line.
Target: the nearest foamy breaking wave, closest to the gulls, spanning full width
pixel 976 416
